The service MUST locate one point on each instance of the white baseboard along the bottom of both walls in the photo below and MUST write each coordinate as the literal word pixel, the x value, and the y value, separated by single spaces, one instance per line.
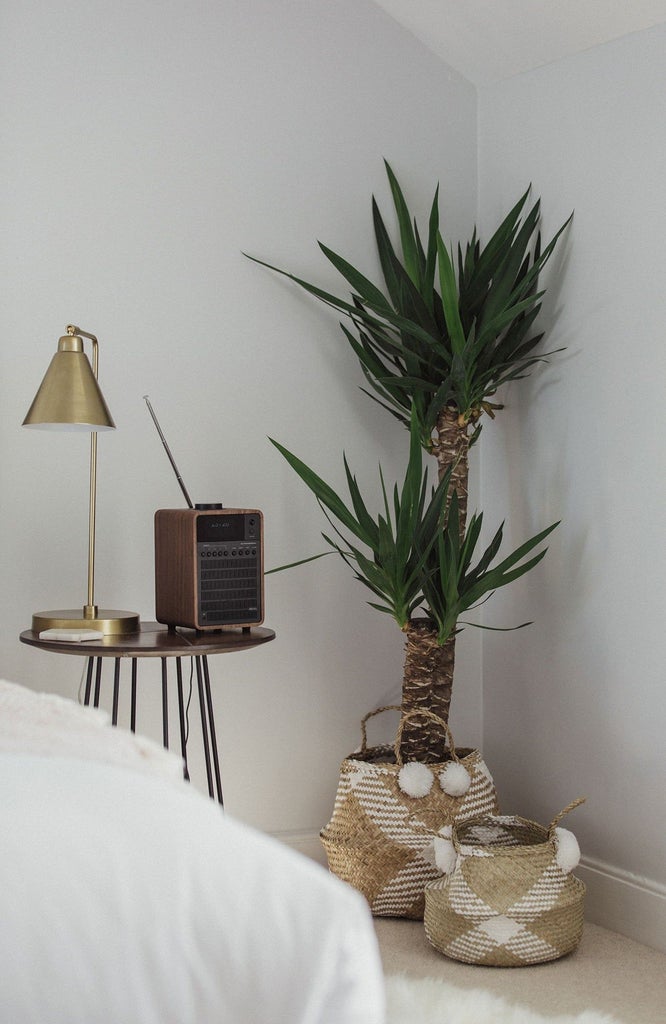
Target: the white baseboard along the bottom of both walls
pixel 616 900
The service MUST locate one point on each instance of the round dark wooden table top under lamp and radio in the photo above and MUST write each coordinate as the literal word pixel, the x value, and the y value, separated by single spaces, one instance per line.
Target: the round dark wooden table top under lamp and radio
pixel 156 641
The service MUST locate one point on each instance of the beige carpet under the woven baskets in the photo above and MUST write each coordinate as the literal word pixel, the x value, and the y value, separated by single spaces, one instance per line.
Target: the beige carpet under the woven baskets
pixel 608 974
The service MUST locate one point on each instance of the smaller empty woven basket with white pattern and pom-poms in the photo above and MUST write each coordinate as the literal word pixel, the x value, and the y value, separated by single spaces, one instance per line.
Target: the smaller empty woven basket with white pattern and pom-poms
pixel 511 900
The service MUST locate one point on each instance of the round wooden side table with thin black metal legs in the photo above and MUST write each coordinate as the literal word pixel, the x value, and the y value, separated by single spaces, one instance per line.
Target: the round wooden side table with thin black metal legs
pixel 155 641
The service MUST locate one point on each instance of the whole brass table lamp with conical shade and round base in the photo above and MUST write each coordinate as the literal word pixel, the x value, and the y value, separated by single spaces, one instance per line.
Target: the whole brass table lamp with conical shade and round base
pixel 69 399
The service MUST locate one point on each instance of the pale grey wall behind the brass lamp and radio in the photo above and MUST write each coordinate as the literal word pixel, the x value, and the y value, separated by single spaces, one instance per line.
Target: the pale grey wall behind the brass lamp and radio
pixel 145 147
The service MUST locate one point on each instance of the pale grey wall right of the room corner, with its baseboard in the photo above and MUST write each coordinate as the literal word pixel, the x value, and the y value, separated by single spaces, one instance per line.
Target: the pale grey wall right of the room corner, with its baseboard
pixel 576 704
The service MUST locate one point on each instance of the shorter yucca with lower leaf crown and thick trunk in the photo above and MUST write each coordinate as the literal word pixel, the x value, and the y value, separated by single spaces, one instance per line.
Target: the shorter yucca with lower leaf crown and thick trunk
pixel 411 557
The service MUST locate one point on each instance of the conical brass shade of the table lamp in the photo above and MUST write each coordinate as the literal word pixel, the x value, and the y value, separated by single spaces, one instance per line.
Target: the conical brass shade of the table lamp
pixel 69 398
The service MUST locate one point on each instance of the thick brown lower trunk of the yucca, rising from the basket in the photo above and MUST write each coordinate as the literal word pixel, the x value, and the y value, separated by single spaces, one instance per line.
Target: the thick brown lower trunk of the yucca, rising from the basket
pixel 427 685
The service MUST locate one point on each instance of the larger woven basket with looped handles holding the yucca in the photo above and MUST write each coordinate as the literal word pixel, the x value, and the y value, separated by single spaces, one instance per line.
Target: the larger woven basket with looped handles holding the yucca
pixel 380 839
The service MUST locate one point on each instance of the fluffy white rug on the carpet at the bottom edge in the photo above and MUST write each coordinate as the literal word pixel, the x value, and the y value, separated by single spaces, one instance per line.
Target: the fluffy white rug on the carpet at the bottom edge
pixel 429 1001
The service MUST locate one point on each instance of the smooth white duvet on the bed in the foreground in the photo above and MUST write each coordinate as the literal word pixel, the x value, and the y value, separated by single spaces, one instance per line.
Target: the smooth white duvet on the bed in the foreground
pixel 129 898
